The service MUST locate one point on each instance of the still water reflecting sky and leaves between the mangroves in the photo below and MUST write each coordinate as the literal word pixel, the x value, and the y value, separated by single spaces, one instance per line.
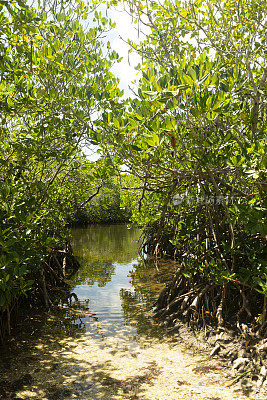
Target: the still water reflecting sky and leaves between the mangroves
pixel 113 282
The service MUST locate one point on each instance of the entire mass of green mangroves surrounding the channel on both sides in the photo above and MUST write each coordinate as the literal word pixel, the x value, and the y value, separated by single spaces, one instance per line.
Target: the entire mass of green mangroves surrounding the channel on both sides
pixel 193 143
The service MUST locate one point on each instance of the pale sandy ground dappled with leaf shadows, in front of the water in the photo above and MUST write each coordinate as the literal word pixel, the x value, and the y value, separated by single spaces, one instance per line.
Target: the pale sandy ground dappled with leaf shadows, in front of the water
pixel 119 368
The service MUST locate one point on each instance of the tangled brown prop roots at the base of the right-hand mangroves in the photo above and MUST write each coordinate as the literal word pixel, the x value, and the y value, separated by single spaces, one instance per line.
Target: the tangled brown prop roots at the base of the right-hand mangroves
pixel 202 303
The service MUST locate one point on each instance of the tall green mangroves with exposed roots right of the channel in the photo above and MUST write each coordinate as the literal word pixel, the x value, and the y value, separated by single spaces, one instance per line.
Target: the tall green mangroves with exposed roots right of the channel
pixel 196 138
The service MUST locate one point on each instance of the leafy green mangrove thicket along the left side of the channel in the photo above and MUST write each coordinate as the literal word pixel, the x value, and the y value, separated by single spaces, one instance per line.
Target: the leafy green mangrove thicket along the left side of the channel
pixel 54 78
